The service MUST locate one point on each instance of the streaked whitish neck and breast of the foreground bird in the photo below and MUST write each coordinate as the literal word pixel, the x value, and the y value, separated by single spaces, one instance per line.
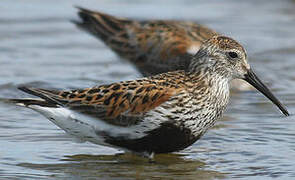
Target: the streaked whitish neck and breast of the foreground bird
pixel 210 97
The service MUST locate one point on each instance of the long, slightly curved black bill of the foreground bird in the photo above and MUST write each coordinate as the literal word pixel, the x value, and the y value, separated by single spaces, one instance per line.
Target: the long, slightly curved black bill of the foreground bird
pixel 251 78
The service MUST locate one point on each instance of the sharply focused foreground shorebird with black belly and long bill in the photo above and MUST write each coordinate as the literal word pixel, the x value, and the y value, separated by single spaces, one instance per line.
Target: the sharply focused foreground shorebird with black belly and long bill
pixel 158 114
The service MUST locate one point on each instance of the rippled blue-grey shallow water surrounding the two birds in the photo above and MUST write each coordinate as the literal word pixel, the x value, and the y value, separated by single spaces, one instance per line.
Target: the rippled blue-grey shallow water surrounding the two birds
pixel 39 46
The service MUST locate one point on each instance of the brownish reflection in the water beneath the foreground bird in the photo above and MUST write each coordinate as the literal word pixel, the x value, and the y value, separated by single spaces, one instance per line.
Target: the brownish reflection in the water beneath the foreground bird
pixel 167 166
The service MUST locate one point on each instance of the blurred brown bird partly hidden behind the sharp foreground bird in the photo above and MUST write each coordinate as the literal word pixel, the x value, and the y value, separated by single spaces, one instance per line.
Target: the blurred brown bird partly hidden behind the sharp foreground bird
pixel 153 46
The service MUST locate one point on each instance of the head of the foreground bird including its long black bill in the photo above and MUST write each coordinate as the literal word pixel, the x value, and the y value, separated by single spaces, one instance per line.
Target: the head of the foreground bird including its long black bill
pixel 225 57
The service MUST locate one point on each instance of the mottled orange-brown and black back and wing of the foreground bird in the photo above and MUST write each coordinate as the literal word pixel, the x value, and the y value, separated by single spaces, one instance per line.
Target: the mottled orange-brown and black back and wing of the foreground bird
pixel 121 103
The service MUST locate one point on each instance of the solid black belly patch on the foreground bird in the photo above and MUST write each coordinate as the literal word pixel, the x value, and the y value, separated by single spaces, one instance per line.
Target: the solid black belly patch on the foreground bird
pixel 167 138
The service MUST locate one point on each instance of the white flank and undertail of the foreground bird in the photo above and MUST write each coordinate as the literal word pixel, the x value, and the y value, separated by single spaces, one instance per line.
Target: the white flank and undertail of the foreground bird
pixel 87 128
